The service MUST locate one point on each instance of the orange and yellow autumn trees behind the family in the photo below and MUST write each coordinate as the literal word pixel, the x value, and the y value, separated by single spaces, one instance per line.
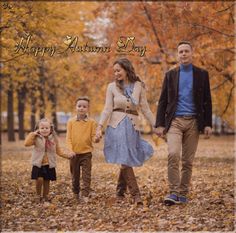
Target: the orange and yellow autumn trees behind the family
pixel 36 84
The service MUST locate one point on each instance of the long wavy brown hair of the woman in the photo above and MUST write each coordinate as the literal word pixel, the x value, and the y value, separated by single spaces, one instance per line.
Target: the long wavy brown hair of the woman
pixel 129 69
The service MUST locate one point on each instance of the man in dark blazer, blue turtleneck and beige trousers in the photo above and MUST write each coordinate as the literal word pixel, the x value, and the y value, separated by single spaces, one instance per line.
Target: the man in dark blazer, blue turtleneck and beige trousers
pixel 184 110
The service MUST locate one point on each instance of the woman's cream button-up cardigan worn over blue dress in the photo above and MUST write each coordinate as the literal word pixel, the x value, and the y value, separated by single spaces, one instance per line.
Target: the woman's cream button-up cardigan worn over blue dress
pixel 115 99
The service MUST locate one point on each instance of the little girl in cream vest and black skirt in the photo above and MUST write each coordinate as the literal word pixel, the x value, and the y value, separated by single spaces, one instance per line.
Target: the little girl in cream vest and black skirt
pixel 46 146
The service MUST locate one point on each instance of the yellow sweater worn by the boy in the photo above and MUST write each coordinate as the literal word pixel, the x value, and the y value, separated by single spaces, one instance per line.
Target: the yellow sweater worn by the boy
pixel 80 135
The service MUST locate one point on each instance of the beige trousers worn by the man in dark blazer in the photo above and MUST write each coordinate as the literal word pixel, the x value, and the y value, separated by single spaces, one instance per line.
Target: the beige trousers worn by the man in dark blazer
pixel 182 135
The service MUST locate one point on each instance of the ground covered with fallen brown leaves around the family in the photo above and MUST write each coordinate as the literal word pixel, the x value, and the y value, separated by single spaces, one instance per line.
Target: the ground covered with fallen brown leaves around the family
pixel 211 206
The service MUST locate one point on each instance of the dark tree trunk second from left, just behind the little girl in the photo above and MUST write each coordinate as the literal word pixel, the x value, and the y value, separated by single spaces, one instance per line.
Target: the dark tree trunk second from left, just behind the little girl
pixel 21 111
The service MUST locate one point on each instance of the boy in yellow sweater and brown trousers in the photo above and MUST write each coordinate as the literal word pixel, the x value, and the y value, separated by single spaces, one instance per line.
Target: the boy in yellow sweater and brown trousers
pixel 80 135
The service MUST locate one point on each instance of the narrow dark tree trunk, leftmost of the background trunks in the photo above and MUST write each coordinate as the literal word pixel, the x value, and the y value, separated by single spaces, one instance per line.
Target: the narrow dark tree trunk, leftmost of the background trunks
pixel 10 113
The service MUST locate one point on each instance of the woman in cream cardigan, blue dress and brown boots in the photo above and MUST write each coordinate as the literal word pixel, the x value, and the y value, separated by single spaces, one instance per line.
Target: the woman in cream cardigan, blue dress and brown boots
pixel 123 144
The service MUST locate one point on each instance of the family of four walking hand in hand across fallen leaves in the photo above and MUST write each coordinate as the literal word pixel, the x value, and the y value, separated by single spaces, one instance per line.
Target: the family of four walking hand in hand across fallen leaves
pixel 184 110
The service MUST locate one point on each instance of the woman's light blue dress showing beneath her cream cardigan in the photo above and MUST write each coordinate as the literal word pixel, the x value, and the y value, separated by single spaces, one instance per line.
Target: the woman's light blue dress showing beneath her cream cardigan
pixel 123 144
